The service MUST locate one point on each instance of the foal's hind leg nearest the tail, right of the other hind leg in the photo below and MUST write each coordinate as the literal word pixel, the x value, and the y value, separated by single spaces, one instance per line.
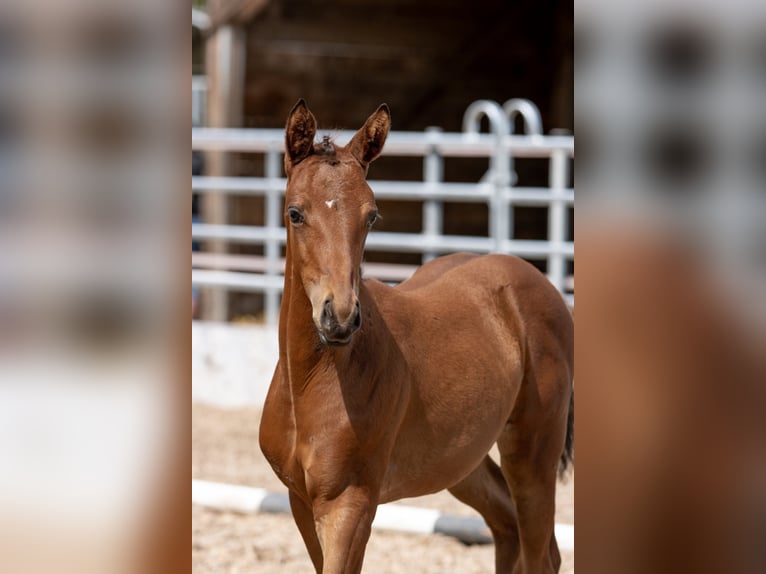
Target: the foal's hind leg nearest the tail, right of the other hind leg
pixel 531 447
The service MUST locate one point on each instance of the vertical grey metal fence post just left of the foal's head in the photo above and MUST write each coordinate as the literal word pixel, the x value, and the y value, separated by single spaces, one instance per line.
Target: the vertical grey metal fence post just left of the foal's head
pixel 272 220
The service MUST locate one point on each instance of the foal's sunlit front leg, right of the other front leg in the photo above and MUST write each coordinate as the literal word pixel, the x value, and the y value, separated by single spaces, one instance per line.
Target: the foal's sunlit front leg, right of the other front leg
pixel 343 526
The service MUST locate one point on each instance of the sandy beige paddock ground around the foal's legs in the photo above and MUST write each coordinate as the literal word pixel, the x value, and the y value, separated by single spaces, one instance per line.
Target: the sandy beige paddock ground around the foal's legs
pixel 225 449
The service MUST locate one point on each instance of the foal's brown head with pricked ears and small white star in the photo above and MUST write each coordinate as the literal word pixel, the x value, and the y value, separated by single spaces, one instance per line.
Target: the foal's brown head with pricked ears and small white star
pixel 329 210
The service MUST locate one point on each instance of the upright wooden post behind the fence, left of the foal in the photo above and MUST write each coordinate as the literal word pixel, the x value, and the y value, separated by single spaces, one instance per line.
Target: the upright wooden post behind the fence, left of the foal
pixel 225 64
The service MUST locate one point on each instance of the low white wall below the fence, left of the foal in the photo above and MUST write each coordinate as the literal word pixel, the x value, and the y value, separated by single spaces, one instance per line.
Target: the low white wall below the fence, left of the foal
pixel 232 365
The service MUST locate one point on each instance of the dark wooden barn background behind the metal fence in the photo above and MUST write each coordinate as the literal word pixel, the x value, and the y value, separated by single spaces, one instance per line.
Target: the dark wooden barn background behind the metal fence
pixel 429 61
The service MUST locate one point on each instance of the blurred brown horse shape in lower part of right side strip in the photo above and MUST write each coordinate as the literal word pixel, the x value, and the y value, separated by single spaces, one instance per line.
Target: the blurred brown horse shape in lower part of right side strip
pixel 671 433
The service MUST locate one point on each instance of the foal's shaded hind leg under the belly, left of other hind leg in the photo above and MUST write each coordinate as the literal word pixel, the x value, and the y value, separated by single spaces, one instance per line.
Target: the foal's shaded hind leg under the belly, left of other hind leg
pixel 486 491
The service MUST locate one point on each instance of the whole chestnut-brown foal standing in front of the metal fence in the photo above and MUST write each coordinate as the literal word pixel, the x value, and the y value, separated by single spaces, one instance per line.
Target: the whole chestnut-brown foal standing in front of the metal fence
pixel 382 393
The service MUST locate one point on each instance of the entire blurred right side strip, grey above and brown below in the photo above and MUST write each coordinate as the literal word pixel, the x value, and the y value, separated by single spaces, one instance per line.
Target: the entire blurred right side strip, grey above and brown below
pixel 671 245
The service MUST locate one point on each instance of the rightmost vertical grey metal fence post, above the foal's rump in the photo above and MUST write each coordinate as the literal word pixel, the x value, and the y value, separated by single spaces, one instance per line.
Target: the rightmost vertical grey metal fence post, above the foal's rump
pixel 557 220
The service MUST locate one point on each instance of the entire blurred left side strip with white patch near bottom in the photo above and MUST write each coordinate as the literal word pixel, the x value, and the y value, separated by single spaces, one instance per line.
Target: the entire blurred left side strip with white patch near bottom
pixel 93 188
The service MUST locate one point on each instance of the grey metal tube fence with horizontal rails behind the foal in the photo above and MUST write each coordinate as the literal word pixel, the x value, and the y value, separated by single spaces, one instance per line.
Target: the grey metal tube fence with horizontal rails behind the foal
pixel 497 189
